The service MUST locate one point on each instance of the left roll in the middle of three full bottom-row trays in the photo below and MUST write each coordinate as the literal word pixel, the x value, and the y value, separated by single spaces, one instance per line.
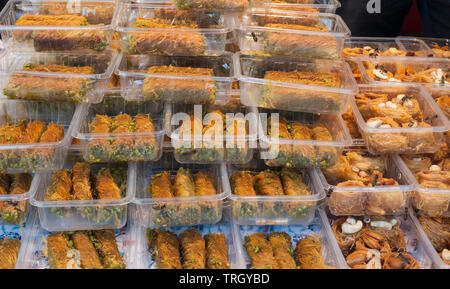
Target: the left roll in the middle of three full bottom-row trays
pixel 165 247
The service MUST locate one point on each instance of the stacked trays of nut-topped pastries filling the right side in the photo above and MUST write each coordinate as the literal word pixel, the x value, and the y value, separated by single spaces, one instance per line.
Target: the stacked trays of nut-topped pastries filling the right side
pixel 406 76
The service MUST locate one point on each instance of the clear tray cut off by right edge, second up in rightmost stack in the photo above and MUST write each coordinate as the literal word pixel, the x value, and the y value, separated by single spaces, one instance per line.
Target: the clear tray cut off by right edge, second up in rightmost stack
pixel 434 202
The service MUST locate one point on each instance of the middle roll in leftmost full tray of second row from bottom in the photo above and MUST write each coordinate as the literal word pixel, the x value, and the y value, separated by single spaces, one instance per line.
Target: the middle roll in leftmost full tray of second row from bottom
pixel 81 181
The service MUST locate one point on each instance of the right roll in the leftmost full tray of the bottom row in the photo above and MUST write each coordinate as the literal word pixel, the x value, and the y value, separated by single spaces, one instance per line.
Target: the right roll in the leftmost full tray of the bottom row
pixel 105 242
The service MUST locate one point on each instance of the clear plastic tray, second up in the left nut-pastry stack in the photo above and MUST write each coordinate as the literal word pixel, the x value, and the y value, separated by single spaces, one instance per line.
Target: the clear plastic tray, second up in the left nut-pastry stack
pixel 366 201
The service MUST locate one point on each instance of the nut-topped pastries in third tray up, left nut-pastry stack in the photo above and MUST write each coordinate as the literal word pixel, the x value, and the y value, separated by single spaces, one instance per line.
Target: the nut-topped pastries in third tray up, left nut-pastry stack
pixel 392 110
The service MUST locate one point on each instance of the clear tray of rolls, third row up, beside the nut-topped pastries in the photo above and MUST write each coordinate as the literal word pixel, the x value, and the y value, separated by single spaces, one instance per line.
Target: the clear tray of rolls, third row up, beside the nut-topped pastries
pixel 288 152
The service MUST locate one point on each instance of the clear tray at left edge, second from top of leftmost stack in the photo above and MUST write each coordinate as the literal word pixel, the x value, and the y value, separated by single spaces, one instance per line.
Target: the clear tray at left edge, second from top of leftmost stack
pixel 18 83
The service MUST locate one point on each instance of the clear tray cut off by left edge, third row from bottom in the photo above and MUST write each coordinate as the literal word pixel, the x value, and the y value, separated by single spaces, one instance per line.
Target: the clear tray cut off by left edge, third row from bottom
pixel 35 157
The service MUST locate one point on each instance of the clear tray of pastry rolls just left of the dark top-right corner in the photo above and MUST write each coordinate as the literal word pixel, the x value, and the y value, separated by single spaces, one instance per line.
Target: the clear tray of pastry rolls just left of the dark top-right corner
pixel 256 38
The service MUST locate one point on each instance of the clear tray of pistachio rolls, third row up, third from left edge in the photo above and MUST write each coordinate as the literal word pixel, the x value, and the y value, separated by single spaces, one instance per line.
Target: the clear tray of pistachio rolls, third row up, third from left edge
pixel 207 147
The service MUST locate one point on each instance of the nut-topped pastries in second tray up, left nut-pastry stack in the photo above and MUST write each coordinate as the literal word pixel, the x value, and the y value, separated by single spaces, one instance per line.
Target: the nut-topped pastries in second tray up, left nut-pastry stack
pixel 361 185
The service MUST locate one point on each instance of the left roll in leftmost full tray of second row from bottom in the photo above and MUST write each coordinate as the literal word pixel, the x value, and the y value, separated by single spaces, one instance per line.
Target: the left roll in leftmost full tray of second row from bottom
pixel 60 187
